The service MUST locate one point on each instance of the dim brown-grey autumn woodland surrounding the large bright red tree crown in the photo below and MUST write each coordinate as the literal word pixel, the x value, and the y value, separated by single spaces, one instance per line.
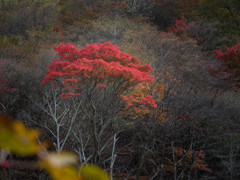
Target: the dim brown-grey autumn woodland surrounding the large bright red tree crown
pixel 195 131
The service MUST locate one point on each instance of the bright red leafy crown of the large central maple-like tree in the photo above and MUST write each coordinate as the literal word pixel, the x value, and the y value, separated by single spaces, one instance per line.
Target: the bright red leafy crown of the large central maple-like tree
pixel 98 65
